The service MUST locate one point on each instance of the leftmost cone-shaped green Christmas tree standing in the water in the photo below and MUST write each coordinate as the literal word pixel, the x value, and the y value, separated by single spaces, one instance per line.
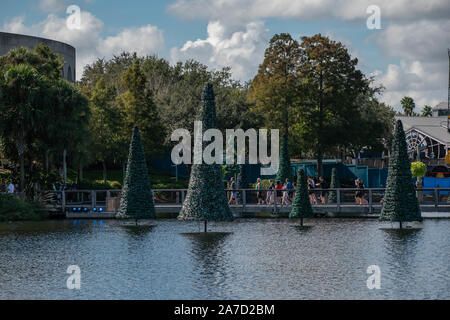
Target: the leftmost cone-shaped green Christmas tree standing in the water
pixel 137 195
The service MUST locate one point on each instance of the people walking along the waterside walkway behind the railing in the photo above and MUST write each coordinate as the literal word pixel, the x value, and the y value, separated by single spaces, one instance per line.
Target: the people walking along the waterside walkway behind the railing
pixel 284 194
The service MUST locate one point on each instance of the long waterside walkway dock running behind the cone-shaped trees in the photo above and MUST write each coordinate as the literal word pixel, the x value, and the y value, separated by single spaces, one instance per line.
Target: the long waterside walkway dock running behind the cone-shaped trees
pixel 96 204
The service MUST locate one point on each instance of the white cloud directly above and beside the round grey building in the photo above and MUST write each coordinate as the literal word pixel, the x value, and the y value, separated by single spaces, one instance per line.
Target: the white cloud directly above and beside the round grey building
pixel 88 40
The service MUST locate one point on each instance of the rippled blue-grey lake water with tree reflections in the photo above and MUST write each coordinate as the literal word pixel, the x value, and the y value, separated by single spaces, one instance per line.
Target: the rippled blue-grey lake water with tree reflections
pixel 250 259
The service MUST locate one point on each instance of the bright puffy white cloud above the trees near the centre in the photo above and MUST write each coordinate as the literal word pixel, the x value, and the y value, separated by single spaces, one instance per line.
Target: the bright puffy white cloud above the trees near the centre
pixel 239 47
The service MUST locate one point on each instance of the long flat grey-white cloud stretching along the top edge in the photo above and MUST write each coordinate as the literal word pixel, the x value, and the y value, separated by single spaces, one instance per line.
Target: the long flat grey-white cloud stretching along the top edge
pixel 250 10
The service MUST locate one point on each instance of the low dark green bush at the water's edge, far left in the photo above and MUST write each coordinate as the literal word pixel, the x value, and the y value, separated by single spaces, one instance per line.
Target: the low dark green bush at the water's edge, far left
pixel 13 209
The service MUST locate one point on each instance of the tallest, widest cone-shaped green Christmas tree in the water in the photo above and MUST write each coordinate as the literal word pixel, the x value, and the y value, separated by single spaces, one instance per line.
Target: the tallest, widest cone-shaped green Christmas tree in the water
pixel 206 198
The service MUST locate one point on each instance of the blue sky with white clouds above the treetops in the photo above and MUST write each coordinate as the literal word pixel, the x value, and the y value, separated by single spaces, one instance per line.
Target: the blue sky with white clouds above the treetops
pixel 408 55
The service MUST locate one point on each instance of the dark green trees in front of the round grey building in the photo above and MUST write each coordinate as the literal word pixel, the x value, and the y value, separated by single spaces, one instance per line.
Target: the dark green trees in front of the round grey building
pixel 41 115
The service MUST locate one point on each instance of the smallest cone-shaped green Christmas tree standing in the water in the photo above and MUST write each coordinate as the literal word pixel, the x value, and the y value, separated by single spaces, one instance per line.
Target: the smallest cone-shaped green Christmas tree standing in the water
pixel 301 207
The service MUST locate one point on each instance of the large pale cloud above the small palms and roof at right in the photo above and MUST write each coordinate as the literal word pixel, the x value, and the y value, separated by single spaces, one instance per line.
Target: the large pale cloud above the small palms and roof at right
pixel 422 72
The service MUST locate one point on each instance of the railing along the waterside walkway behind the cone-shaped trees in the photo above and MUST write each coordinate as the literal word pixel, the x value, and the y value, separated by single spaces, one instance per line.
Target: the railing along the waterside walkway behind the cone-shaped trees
pixel 249 199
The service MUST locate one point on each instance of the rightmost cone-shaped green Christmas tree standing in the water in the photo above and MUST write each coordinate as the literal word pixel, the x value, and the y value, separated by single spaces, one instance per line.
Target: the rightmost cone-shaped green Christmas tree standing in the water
pixel 400 201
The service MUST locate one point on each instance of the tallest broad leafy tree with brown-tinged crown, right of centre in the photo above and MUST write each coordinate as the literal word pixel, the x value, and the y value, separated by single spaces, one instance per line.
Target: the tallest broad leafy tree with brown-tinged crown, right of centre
pixel 314 90
